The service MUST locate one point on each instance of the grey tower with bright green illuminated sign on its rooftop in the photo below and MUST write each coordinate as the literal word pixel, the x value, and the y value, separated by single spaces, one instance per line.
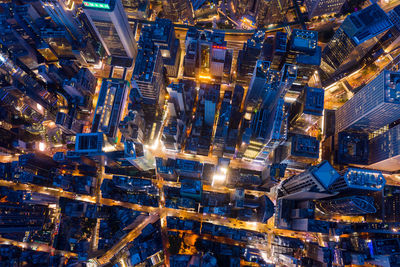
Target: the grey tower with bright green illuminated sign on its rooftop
pixel 110 22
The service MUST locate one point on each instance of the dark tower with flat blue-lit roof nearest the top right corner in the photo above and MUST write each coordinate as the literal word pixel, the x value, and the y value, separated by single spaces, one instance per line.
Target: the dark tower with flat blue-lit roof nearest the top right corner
pixel 357 34
